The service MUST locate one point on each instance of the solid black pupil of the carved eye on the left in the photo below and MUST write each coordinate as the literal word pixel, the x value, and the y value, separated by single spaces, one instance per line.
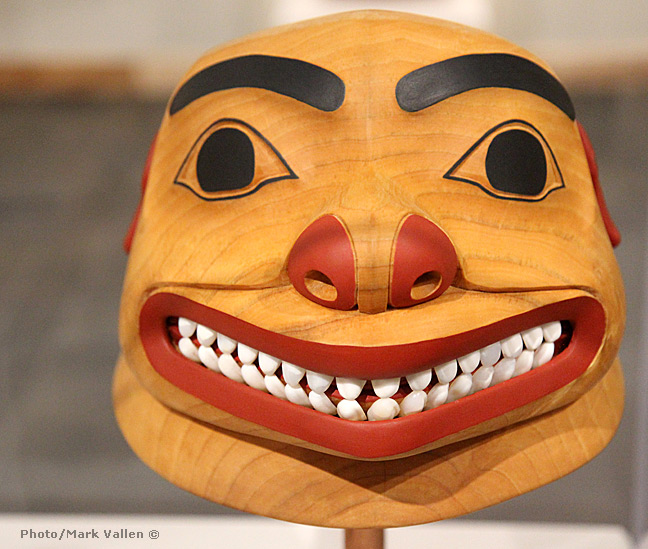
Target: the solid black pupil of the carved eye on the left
pixel 225 161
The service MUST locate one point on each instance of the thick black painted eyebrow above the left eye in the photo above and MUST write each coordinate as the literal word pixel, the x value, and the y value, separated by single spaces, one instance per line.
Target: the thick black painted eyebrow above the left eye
pixel 300 80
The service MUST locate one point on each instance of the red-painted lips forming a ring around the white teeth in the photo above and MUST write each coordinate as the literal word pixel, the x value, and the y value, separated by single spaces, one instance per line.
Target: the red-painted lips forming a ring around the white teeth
pixel 369 439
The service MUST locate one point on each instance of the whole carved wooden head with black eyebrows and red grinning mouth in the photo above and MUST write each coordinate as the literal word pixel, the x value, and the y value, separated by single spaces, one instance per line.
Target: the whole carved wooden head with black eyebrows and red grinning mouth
pixel 371 280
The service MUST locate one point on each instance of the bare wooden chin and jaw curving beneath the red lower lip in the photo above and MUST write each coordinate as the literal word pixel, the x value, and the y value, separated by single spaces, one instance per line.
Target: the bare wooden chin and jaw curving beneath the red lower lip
pixel 298 485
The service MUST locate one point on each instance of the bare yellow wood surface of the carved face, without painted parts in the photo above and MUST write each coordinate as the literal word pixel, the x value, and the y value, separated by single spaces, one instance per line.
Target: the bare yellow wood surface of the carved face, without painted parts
pixel 370 164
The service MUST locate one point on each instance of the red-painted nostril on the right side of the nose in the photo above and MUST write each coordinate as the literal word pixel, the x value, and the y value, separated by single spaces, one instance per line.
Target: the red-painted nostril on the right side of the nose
pixel 421 248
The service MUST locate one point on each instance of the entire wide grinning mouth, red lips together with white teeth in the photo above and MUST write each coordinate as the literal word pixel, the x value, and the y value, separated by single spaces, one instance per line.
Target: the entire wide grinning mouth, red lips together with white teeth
pixel 369 402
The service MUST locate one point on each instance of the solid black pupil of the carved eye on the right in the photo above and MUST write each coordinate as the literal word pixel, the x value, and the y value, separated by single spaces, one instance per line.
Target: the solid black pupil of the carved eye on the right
pixel 516 163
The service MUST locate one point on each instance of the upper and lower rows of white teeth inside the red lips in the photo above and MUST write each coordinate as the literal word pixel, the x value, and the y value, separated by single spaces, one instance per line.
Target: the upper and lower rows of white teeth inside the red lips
pixel 473 372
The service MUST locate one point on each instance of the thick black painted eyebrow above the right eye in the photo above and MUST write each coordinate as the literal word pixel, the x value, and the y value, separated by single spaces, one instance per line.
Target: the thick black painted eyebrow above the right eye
pixel 431 84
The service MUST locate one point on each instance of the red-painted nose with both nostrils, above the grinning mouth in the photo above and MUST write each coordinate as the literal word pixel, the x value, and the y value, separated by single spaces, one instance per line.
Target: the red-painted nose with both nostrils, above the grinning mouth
pixel 322 264
